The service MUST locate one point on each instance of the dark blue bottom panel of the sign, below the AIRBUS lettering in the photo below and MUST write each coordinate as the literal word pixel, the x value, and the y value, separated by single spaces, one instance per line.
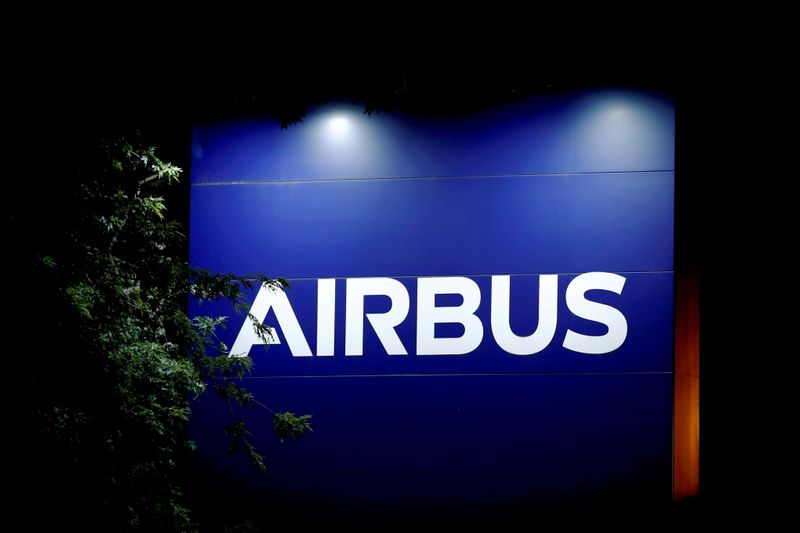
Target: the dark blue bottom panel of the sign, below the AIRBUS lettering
pixel 467 440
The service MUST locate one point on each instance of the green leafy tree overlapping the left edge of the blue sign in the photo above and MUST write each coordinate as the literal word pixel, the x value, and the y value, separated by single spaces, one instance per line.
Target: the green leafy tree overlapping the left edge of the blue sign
pixel 117 289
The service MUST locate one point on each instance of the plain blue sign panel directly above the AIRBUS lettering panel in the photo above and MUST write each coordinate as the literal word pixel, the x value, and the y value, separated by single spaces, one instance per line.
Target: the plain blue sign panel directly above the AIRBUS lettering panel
pixel 437 227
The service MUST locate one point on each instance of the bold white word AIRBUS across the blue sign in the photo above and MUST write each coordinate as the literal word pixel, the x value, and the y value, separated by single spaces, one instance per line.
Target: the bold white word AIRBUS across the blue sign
pixel 428 315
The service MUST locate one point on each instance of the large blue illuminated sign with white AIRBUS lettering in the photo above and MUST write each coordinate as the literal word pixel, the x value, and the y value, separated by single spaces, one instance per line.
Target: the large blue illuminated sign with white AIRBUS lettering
pixel 480 310
